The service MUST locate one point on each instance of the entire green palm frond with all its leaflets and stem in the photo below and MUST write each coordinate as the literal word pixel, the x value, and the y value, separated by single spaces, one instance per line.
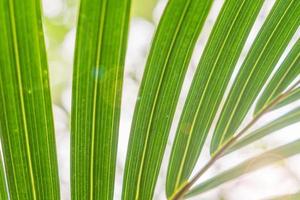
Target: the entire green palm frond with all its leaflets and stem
pixel 26 122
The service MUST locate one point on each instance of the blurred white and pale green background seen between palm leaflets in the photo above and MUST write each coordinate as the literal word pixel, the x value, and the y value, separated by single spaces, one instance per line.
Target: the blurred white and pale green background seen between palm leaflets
pixel 60 18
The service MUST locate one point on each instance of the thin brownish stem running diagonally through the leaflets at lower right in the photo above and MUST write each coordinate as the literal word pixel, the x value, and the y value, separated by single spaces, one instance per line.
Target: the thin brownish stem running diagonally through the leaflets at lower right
pixel 181 192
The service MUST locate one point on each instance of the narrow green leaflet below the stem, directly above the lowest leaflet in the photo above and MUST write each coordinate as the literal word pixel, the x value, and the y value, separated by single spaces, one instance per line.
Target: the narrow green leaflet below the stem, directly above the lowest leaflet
pixel 282 122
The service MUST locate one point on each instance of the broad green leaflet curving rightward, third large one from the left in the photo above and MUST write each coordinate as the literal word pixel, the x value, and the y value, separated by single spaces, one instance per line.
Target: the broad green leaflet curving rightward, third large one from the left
pixel 169 57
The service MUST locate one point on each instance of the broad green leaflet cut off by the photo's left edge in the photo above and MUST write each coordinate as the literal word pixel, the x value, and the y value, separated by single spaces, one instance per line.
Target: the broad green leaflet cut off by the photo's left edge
pixel 26 124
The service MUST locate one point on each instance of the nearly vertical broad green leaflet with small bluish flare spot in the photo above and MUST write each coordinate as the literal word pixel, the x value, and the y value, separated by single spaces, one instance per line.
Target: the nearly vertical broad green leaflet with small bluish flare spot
pixel 96 101
